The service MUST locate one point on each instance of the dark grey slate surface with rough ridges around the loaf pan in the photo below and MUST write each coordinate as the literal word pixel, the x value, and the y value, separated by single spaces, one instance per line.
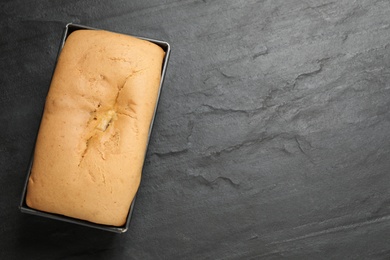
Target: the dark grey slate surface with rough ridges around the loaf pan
pixel 272 138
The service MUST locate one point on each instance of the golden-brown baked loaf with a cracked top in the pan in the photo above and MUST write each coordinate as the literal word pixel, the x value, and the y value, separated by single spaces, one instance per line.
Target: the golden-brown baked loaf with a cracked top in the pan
pixel 93 135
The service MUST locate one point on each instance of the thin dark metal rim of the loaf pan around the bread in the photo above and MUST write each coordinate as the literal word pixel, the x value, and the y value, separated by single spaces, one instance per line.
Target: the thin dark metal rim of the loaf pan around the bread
pixel 69 28
